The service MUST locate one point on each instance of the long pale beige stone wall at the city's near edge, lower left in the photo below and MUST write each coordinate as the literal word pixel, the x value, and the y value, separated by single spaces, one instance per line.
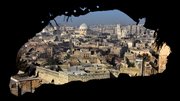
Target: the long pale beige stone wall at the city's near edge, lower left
pixel 62 77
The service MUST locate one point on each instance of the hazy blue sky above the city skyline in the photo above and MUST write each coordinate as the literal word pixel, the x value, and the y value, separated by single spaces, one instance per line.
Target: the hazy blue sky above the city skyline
pixel 99 17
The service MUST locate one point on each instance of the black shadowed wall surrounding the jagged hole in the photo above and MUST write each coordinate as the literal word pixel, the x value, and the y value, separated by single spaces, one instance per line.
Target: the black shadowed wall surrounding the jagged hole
pixel 23 19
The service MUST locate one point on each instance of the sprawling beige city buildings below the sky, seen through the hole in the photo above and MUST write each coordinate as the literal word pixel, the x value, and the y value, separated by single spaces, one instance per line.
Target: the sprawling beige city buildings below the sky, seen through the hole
pixel 63 53
